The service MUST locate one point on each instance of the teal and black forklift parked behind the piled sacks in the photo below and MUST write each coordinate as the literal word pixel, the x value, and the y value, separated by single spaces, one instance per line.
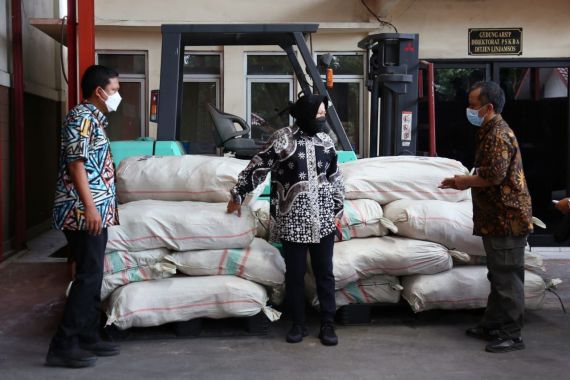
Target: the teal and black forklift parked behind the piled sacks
pixel 393 73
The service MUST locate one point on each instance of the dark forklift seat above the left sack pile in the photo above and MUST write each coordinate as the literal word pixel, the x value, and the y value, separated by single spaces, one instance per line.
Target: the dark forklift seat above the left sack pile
pixel 229 137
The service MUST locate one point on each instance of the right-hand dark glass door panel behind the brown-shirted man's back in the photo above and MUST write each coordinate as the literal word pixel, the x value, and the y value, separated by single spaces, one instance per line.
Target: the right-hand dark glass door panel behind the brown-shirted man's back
pixel 537 110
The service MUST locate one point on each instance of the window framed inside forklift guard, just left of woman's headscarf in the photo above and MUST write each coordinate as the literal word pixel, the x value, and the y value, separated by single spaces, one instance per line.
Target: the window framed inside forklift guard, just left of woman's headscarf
pixel 270 86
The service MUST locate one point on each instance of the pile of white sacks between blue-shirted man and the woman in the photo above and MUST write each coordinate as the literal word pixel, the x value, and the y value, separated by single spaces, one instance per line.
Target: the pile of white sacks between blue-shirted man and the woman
pixel 173 220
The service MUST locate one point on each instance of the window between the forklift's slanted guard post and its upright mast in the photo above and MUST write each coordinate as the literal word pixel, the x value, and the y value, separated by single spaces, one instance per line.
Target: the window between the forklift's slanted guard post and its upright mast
pixel 347 94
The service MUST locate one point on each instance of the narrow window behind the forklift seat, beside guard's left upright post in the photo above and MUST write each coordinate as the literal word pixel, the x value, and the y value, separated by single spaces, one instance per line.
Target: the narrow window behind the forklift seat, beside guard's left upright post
pixel 201 86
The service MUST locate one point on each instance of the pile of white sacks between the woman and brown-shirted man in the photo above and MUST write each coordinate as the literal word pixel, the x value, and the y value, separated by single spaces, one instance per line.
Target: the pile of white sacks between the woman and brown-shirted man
pixel 433 229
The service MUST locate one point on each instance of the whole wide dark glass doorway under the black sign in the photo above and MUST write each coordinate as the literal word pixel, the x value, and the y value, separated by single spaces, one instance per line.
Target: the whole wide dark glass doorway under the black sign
pixel 537 109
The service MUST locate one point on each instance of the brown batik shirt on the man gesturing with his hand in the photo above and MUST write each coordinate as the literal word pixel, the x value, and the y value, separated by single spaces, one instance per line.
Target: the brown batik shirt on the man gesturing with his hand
pixel 503 209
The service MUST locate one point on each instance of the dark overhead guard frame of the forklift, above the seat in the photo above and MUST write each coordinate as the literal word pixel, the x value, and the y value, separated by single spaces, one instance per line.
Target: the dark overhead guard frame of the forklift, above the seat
pixel 176 37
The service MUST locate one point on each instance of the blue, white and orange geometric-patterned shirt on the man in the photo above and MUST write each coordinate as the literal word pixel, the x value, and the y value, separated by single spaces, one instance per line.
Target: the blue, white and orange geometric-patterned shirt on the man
pixel 83 138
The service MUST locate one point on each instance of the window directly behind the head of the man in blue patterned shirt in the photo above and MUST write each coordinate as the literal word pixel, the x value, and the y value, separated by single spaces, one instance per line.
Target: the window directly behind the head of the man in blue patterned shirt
pixel 129 121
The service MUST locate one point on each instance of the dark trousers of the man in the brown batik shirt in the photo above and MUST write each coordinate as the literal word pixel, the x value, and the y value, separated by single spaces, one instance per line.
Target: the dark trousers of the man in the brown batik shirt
pixel 505 263
